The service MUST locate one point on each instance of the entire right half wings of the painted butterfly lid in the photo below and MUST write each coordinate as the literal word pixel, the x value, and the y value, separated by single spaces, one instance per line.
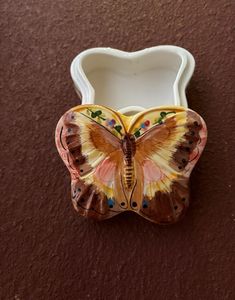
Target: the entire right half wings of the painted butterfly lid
pixel 169 141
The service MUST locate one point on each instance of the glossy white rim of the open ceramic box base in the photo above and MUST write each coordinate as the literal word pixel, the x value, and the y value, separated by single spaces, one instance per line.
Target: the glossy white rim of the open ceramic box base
pixel 185 72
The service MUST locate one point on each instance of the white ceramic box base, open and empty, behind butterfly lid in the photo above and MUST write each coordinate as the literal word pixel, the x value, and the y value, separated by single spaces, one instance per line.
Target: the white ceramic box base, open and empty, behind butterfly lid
pixel 132 81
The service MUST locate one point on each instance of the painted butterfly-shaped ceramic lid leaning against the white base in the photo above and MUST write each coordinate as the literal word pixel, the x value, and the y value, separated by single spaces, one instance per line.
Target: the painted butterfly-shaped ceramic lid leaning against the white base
pixel 139 163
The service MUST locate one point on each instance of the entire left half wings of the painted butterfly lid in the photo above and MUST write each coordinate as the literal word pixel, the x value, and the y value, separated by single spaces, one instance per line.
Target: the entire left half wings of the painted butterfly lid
pixel 88 141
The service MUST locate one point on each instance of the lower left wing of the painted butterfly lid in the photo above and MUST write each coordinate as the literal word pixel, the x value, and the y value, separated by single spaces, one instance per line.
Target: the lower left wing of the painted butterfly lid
pixel 97 196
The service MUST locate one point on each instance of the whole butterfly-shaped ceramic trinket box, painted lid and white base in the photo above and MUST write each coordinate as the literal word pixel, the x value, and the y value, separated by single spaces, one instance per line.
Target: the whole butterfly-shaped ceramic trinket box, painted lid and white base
pixel 133 143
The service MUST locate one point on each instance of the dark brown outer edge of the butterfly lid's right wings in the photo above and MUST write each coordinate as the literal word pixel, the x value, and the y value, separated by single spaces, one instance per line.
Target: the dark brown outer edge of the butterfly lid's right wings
pixel 169 208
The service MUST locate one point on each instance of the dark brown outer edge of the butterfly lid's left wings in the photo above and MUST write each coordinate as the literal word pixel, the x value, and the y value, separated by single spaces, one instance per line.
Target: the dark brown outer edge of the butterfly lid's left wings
pixel 86 198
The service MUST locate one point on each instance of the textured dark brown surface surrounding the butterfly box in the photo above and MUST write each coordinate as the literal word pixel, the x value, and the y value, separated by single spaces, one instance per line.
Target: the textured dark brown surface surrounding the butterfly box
pixel 47 250
